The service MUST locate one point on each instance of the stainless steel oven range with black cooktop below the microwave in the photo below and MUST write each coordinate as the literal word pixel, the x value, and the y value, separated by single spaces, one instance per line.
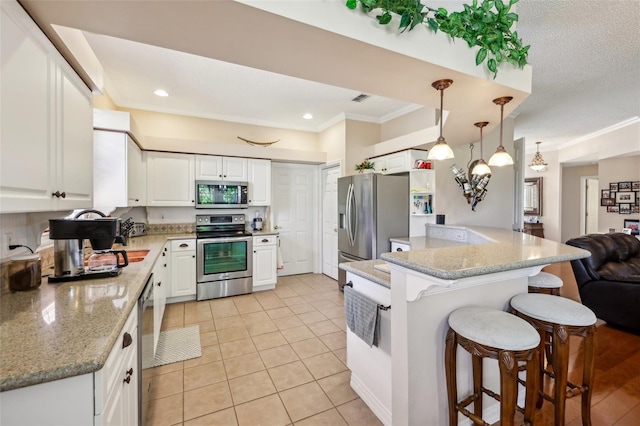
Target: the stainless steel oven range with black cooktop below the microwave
pixel 224 256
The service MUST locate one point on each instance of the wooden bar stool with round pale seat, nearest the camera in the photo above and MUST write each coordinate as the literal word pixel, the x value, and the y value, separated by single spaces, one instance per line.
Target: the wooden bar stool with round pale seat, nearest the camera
pixel 494 334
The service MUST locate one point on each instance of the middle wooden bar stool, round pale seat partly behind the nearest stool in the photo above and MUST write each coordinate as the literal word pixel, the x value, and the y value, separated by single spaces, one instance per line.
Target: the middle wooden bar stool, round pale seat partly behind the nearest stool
pixel 556 319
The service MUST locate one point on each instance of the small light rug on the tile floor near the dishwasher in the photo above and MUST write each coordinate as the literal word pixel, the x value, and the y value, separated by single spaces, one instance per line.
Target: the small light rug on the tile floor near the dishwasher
pixel 173 346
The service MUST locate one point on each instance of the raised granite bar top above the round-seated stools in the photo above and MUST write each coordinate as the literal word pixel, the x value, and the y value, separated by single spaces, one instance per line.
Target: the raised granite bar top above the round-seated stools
pixel 506 250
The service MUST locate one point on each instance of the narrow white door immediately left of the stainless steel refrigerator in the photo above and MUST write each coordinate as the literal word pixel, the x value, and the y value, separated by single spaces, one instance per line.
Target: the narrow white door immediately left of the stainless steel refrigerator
pixel 330 221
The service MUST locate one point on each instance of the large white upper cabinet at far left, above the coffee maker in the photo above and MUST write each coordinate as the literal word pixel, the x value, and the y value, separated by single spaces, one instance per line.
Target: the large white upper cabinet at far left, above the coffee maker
pixel 46 115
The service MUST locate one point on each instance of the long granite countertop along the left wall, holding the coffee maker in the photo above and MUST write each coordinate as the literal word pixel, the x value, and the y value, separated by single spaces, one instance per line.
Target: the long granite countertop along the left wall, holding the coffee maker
pixel 68 329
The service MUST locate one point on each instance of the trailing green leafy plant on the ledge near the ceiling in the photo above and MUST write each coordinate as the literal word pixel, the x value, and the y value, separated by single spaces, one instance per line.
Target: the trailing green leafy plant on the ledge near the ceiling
pixel 487 25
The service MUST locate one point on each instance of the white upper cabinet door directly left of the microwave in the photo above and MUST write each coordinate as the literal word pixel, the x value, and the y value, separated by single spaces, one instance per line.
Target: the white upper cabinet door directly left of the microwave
pixel 170 179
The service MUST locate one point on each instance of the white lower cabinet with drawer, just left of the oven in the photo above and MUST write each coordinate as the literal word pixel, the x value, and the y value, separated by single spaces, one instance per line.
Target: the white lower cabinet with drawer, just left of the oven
pixel 183 268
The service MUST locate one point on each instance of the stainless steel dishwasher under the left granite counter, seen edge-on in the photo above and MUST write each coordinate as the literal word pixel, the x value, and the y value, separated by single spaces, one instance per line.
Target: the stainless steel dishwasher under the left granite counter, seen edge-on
pixel 145 347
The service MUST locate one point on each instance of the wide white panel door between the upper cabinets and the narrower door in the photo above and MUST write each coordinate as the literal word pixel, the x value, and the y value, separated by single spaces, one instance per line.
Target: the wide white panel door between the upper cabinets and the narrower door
pixel 293 215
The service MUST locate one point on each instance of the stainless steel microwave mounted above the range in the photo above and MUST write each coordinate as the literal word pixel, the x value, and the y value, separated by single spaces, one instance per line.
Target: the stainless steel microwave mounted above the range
pixel 221 195
